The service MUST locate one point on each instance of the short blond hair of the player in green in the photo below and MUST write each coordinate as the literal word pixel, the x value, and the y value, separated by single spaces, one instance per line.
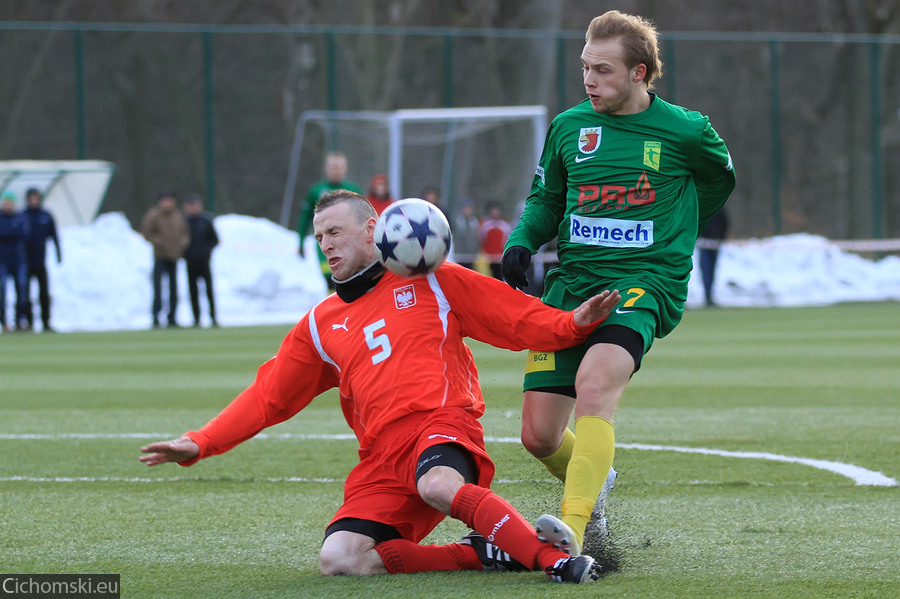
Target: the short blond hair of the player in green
pixel 638 37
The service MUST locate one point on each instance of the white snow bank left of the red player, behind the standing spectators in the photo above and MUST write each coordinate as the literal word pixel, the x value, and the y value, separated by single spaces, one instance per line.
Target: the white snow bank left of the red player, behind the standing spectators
pixel 104 281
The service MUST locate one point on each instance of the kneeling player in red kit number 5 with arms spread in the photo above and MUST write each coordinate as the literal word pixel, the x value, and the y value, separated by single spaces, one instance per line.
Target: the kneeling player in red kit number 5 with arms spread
pixel 409 389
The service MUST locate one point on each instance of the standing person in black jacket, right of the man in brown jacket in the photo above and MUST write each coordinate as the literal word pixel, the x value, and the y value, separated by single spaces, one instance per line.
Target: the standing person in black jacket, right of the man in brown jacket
pixel 197 256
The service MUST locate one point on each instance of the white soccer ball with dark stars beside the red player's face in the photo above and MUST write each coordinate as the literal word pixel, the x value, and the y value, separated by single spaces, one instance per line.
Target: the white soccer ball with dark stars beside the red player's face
pixel 412 237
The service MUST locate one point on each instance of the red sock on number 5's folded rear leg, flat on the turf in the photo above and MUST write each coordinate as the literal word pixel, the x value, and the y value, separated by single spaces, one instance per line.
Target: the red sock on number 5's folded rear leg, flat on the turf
pixel 401 556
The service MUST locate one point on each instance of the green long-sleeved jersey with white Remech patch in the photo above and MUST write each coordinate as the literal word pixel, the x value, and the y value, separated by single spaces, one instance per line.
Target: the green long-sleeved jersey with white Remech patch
pixel 626 195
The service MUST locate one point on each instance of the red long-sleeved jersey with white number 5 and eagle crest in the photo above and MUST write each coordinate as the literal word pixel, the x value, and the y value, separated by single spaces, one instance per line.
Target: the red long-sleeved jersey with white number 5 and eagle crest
pixel 394 351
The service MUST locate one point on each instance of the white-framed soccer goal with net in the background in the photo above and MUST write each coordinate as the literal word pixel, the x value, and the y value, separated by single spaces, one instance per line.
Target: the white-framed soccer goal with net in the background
pixel 486 154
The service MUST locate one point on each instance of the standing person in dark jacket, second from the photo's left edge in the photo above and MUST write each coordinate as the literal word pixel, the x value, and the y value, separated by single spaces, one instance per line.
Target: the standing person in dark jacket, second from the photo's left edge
pixel 41 227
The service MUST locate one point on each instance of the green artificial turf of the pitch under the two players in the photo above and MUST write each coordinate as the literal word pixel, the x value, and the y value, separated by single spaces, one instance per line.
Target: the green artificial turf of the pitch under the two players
pixel 815 383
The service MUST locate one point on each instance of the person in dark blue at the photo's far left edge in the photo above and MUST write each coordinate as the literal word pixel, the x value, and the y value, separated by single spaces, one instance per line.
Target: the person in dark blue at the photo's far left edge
pixel 13 261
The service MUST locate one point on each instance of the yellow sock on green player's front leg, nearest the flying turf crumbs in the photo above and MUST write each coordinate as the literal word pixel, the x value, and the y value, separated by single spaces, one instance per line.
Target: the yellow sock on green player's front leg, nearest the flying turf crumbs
pixel 592 457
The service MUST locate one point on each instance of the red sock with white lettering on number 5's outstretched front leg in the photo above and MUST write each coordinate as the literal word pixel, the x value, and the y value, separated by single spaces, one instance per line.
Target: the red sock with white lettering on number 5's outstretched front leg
pixel 497 521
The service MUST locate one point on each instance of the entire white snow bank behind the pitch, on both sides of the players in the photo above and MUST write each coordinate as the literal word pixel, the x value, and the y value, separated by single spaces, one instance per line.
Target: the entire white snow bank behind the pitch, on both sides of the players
pixel 104 281
